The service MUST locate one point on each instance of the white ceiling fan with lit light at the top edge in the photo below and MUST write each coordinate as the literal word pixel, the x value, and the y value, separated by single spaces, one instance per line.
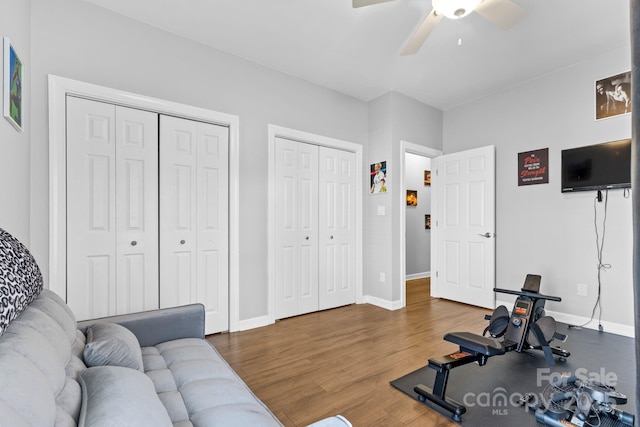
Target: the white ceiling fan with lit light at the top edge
pixel 502 13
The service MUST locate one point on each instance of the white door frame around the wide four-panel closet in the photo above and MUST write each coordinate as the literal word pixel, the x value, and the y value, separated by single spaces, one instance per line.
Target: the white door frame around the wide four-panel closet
pixel 59 88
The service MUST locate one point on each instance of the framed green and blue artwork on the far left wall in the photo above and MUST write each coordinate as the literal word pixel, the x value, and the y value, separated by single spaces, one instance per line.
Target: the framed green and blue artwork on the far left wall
pixel 13 78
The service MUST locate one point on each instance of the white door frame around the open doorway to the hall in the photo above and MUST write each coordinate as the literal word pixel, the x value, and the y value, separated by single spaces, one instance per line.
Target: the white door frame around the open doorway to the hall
pixel 408 147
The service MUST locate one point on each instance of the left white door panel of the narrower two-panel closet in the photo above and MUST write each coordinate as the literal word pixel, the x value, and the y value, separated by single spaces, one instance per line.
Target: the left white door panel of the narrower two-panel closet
pixel 296 237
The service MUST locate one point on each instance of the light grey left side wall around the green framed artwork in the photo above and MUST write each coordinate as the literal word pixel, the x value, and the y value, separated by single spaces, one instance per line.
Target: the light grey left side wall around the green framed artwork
pixel 15 147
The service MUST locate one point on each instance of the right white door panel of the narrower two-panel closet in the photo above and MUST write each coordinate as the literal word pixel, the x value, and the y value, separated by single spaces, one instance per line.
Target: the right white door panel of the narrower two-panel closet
pixel 337 237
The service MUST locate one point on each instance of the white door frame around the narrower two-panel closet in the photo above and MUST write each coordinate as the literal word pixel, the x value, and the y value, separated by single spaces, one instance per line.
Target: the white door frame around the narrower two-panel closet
pixel 323 141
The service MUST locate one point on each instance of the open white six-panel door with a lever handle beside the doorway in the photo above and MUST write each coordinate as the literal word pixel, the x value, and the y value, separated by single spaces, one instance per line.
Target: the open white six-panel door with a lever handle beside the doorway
pixel 464 258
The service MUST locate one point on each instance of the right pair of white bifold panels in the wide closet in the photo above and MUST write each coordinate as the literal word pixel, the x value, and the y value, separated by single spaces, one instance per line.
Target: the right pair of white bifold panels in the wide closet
pixel 194 260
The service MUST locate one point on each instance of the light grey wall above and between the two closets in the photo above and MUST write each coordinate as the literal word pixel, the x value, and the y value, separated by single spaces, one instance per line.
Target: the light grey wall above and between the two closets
pixel 77 40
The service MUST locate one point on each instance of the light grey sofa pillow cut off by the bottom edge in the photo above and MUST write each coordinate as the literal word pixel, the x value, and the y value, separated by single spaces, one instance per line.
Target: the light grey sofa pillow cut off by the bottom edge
pixel 114 396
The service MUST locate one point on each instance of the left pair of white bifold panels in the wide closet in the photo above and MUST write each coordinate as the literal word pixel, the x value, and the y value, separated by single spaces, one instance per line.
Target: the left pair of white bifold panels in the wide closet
pixel 112 209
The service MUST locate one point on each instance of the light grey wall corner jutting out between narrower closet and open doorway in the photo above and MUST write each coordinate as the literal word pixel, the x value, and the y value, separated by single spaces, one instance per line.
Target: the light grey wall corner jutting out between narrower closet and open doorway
pixel 393 118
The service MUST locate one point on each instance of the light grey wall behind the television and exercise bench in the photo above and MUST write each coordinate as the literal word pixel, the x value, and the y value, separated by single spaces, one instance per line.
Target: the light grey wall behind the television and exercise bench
pixel 539 229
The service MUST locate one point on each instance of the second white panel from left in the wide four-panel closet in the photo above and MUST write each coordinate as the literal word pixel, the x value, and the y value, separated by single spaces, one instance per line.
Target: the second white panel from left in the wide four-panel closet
pixel 136 210
